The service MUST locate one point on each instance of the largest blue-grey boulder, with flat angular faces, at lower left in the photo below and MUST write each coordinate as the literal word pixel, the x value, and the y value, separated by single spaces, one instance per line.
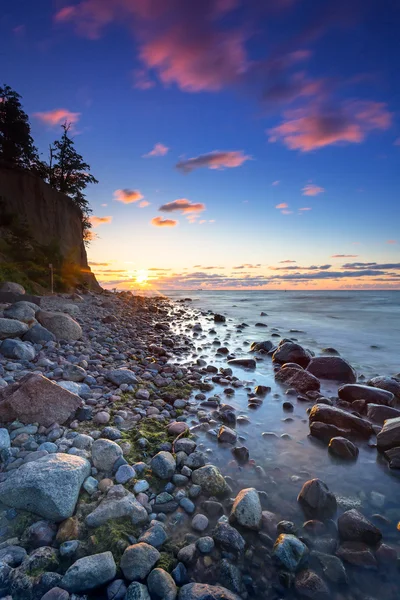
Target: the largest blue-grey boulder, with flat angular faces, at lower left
pixel 48 486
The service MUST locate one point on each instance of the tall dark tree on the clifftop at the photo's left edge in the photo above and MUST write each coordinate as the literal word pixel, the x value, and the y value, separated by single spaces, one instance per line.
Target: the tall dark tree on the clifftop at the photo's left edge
pixel 16 143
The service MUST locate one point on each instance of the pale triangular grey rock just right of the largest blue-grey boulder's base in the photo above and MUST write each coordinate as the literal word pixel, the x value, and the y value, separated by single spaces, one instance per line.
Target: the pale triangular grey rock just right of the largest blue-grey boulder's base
pixel 118 503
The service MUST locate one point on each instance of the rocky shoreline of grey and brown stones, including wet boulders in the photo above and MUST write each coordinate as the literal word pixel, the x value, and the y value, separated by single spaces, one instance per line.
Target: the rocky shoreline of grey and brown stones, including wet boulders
pixel 106 484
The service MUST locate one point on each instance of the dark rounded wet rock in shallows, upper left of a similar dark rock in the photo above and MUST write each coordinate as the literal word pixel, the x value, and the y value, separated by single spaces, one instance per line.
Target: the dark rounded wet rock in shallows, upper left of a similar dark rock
pixel 316 500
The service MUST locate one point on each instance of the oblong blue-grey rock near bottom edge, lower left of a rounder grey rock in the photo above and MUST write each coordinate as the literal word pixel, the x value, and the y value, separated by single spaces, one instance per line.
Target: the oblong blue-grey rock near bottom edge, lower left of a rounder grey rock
pixel 90 572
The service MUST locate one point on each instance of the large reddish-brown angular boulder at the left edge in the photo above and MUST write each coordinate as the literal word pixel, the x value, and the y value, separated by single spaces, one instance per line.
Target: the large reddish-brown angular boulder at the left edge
pixel 36 399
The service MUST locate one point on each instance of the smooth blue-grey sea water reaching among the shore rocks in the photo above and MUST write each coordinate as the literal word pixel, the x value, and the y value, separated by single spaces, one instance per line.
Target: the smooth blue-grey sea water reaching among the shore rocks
pixel 364 327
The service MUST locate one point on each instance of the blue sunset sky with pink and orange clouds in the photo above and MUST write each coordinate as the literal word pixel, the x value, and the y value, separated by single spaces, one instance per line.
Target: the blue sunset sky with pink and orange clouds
pixel 238 144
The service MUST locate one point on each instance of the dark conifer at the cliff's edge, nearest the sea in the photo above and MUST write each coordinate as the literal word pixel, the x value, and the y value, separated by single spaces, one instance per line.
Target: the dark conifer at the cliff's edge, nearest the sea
pixel 68 173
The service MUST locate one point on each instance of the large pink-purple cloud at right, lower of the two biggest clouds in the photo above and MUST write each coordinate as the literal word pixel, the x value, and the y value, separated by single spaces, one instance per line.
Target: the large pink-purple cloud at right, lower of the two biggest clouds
pixel 310 128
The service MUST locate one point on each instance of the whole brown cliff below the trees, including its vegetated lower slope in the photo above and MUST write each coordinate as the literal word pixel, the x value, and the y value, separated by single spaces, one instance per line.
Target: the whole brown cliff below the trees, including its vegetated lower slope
pixel 38 226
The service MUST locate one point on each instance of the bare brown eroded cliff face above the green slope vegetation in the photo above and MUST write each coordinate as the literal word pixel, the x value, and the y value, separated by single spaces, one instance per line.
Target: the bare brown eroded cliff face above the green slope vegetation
pixel 51 218
